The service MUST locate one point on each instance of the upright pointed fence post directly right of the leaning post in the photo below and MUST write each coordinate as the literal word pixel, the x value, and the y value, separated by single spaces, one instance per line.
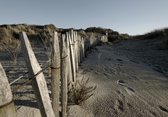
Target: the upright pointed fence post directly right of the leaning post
pixel 55 73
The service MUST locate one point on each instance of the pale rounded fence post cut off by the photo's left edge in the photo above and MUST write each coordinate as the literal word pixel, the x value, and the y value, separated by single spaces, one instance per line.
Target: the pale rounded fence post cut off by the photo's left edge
pixel 7 108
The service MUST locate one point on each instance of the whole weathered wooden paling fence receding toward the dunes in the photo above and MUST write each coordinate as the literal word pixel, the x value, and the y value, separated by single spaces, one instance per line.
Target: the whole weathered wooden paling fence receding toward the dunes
pixel 67 53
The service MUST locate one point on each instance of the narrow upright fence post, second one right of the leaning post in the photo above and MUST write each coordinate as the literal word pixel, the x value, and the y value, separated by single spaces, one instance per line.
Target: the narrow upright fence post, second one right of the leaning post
pixel 64 74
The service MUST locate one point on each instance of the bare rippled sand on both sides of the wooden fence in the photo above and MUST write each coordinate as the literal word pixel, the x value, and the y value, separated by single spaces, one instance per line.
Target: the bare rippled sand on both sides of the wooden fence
pixel 131 78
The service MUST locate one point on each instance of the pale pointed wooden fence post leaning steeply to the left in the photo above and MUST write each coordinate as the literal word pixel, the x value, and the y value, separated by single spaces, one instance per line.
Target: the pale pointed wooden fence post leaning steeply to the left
pixel 38 81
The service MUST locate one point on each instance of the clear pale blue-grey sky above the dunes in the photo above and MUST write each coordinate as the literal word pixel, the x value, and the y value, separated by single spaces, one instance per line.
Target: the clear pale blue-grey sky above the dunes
pixel 125 16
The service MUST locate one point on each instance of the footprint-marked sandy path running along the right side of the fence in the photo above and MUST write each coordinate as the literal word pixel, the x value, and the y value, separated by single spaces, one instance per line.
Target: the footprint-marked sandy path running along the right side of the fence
pixel 126 85
